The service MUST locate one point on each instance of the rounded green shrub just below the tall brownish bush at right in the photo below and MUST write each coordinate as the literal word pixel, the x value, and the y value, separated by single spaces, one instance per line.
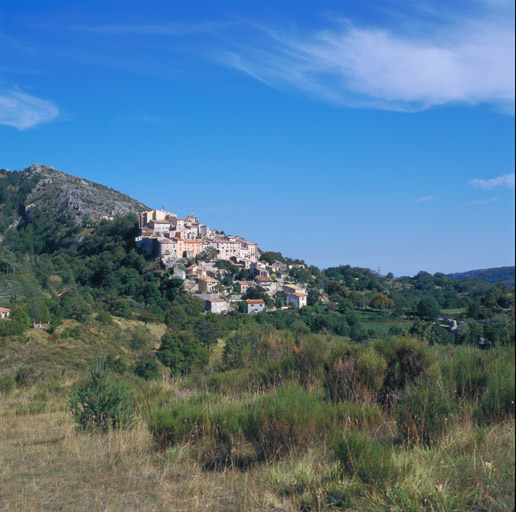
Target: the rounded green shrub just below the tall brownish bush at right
pixel 423 413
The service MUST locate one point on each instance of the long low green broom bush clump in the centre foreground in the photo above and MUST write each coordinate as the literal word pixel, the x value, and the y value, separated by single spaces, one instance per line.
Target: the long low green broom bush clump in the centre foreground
pixel 270 424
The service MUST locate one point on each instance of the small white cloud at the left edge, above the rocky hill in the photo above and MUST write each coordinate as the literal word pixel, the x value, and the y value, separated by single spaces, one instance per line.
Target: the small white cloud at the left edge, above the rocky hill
pixel 23 111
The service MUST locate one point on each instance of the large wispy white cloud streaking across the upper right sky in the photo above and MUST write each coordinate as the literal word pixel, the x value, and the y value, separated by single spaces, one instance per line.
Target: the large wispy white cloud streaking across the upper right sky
pixel 465 61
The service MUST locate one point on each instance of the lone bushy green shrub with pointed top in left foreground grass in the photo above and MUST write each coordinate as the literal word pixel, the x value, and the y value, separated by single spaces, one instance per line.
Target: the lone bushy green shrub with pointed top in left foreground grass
pixel 102 402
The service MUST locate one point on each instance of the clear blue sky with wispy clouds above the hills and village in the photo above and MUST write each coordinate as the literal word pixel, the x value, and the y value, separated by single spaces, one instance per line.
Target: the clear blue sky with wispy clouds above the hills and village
pixel 377 135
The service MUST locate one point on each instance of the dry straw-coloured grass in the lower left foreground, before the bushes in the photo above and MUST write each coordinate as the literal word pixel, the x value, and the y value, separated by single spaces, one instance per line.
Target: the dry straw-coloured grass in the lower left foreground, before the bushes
pixel 45 464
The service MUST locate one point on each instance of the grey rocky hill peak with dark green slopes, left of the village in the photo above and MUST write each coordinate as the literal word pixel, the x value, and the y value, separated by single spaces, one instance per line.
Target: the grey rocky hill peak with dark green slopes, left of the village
pixel 43 209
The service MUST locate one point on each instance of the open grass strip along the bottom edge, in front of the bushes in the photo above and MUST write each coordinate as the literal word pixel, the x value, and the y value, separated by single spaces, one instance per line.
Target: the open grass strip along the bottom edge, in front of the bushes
pixel 46 465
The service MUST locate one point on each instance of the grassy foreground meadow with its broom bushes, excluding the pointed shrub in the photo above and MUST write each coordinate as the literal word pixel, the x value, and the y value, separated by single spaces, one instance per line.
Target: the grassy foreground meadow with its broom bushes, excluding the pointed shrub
pixel 279 423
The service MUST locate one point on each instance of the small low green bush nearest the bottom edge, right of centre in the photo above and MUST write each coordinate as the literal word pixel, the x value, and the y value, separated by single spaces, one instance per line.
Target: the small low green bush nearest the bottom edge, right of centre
pixel 369 460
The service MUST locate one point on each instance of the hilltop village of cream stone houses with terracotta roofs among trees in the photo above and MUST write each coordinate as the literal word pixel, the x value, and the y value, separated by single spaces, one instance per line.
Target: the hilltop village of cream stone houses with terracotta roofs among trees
pixel 224 270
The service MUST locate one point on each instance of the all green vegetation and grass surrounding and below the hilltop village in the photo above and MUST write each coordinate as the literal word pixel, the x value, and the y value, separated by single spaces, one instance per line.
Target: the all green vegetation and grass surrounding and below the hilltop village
pixel 128 396
